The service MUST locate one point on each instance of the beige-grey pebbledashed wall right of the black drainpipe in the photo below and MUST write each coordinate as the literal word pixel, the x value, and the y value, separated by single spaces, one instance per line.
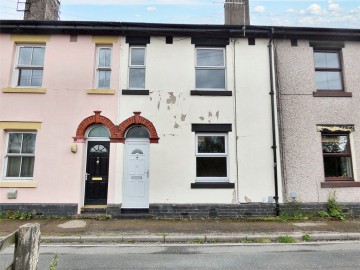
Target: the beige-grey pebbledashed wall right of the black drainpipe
pixel 301 112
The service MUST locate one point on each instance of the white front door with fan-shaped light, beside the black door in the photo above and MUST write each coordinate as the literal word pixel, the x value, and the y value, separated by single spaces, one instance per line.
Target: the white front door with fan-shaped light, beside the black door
pixel 136 174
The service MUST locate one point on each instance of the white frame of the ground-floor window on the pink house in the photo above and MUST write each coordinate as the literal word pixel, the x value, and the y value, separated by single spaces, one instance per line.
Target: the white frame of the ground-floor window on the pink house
pixel 5 160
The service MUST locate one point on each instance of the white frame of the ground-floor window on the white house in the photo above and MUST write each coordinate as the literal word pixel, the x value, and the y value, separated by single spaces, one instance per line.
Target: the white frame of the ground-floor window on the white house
pixel 225 154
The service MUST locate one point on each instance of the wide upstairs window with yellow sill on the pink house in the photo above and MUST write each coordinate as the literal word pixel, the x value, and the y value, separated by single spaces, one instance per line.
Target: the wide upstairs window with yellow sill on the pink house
pixel 30 65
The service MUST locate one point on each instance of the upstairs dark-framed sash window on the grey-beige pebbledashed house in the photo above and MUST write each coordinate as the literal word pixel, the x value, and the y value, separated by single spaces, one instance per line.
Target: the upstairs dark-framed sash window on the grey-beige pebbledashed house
pixel 328 70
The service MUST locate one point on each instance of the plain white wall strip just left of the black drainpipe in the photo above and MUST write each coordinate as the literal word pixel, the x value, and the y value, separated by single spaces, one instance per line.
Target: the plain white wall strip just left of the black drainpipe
pixel 255 155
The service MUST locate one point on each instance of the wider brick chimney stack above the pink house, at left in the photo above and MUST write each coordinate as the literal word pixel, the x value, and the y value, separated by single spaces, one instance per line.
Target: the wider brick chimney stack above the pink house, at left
pixel 42 10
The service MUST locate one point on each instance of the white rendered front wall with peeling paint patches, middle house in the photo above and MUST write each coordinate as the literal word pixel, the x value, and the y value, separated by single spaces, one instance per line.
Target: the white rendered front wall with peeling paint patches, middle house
pixel 170 76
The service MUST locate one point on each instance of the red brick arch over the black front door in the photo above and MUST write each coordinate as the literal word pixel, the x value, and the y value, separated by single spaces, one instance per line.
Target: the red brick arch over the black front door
pixel 92 120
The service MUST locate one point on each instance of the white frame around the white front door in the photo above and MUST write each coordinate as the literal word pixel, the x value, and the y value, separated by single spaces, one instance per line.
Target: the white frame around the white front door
pixel 146 143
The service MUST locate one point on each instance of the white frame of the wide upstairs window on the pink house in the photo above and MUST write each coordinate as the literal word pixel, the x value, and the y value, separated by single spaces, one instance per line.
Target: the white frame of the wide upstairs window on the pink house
pixel 17 67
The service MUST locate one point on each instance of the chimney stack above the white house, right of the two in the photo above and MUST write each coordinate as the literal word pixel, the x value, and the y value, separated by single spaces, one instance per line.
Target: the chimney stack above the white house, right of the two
pixel 237 12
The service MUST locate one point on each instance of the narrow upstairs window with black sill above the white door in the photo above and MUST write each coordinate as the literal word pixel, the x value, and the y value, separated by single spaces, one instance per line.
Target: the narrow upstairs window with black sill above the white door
pixel 137 68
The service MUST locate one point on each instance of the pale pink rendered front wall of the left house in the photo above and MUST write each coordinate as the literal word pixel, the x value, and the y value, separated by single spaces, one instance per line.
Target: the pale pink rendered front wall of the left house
pixel 69 70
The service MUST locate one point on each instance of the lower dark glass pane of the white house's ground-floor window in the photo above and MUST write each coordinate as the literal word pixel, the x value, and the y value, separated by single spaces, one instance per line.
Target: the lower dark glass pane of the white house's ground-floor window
pixel 211 167
